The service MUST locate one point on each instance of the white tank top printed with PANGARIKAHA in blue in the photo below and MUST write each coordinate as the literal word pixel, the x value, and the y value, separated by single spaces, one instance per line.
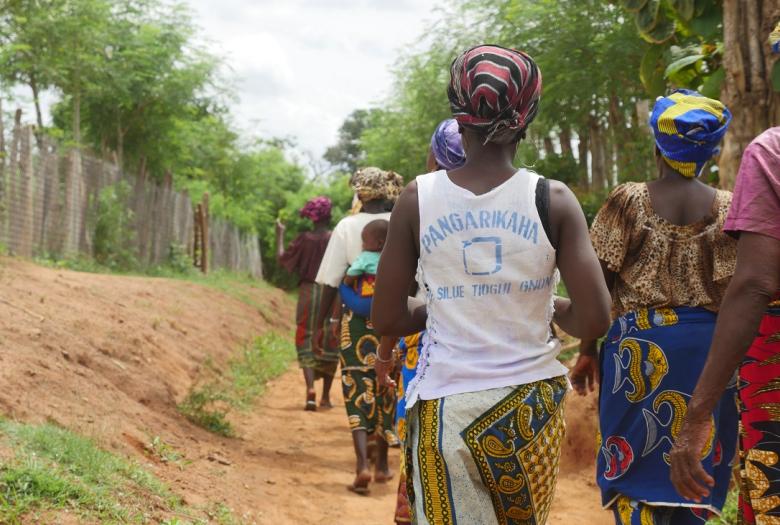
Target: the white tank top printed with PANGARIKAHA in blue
pixel 489 273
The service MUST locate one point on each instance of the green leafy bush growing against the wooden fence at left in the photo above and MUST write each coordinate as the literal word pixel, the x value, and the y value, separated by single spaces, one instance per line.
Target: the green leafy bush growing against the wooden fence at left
pixel 114 234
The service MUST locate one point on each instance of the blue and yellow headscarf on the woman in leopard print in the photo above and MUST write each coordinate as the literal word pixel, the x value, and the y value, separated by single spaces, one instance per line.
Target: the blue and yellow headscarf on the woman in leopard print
pixel 688 128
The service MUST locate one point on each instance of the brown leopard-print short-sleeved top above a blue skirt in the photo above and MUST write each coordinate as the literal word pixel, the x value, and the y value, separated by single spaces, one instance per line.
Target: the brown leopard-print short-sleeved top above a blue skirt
pixel 659 263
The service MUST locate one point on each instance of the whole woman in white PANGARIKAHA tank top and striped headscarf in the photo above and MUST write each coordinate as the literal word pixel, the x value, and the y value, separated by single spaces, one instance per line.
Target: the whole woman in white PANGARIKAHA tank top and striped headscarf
pixel 485 413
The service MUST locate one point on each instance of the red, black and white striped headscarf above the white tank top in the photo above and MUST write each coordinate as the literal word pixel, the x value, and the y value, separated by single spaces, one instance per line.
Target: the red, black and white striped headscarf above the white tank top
pixel 495 91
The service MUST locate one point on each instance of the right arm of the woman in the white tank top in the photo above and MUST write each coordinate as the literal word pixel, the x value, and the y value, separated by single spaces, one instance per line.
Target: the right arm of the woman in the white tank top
pixel 586 313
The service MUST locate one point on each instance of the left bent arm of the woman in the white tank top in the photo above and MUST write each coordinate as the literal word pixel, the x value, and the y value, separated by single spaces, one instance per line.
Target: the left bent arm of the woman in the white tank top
pixel 393 312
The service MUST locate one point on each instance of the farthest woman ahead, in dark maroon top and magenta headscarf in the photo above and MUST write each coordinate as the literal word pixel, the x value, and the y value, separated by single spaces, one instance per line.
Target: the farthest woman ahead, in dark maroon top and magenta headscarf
pixel 302 257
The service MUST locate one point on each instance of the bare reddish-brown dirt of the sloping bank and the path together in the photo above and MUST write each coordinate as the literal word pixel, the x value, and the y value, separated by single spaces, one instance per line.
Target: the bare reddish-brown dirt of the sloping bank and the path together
pixel 111 356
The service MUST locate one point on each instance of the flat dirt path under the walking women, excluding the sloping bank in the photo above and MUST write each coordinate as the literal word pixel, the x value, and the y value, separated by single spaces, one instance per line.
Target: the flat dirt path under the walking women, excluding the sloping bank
pixel 300 463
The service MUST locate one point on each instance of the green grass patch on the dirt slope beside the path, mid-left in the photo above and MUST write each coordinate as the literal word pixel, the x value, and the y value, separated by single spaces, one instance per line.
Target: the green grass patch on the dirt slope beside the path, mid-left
pixel 209 404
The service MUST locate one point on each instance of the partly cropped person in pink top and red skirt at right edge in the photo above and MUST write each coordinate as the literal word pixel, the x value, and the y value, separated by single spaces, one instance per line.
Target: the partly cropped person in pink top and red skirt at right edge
pixel 747 340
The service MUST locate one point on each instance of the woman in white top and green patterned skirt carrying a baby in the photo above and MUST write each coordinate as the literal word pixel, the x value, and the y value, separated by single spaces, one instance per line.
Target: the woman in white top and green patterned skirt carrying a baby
pixel 369 408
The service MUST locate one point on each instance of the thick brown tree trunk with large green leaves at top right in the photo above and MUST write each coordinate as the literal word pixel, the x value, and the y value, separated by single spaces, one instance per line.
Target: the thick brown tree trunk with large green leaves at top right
pixel 721 49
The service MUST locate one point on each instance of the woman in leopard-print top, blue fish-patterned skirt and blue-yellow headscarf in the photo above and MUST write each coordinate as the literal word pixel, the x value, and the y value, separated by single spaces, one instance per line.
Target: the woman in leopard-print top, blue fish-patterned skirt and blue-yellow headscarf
pixel 667 264
